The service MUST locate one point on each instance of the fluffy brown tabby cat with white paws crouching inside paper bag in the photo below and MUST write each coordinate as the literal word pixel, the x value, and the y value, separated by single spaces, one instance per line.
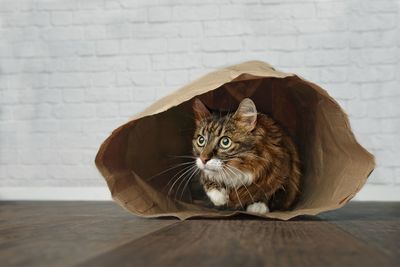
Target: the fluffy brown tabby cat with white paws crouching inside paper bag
pixel 246 160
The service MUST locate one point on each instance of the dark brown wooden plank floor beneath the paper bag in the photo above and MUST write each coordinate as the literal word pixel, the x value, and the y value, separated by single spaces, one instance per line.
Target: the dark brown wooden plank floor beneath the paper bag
pixel 102 234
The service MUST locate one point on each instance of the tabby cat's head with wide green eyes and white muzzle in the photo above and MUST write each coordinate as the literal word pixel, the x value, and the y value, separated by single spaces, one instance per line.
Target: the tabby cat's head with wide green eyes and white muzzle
pixel 223 145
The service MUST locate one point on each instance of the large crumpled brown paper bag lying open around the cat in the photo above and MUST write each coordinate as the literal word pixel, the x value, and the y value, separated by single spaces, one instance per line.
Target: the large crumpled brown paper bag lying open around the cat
pixel 135 159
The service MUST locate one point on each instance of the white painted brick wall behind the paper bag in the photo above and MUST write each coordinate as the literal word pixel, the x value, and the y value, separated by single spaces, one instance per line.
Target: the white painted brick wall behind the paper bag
pixel 73 70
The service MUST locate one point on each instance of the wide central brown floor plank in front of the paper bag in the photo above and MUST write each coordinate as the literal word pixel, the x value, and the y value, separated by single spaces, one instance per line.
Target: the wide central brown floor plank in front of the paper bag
pixel 245 242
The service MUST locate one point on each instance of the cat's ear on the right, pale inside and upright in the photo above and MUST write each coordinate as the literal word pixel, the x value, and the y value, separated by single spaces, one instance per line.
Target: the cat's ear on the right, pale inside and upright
pixel 246 114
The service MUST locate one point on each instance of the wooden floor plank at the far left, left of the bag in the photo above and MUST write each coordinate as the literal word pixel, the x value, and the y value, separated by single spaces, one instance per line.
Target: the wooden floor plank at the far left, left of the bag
pixel 65 233
